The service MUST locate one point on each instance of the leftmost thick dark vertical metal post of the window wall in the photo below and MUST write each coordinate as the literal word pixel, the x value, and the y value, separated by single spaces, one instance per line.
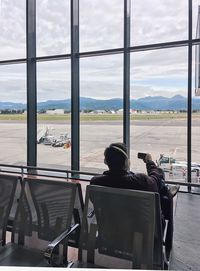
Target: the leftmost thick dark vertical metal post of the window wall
pixel 31 82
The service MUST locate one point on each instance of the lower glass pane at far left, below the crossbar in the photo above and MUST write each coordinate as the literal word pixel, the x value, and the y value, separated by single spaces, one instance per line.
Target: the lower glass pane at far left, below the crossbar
pixel 13 118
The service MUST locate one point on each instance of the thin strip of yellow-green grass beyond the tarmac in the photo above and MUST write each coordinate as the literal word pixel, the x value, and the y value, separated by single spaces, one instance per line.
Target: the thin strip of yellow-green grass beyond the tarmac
pixel 98 117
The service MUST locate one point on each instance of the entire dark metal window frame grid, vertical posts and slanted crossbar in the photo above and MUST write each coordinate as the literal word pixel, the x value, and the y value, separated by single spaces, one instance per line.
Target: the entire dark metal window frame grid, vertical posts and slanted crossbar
pixel 31 61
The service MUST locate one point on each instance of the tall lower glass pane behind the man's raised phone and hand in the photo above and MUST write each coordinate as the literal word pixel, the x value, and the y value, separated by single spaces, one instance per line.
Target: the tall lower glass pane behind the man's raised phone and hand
pixel 159 110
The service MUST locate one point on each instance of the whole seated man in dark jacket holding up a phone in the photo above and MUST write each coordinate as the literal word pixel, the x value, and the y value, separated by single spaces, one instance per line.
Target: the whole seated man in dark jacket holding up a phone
pixel 119 176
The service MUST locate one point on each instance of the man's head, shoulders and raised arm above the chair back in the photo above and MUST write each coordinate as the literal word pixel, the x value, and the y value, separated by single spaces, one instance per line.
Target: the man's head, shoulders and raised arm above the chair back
pixel 119 175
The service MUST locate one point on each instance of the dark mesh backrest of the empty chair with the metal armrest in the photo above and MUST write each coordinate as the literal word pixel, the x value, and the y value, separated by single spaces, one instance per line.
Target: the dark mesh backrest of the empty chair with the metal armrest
pixel 44 211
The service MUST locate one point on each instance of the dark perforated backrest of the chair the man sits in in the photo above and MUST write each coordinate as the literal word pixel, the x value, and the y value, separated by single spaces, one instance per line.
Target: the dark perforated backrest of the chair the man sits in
pixel 122 228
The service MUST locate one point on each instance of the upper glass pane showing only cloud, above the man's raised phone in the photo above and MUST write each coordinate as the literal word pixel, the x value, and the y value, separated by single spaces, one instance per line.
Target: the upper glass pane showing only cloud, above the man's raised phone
pixel 158 21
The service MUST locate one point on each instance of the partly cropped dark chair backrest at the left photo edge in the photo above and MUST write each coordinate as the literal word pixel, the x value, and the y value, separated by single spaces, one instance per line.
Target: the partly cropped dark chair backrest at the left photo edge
pixel 8 184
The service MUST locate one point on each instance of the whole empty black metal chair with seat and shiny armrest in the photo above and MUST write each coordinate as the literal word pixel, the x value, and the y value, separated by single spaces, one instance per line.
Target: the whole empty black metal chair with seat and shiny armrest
pixel 42 224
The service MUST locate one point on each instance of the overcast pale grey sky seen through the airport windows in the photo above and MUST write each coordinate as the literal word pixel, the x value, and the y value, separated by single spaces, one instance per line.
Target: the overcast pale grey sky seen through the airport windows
pixel 162 72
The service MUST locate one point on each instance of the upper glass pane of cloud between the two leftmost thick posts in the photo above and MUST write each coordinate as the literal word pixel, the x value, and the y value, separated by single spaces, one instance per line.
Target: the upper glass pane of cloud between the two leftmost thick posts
pixel 53 27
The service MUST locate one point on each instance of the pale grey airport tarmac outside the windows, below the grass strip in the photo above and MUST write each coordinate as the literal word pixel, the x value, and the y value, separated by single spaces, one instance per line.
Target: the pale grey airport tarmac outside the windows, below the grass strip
pixel 167 137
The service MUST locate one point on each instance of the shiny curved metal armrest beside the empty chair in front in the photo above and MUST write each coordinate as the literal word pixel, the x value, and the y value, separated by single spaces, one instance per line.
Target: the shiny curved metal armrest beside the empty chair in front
pixel 49 250
